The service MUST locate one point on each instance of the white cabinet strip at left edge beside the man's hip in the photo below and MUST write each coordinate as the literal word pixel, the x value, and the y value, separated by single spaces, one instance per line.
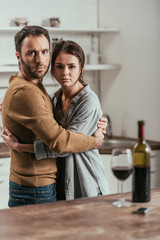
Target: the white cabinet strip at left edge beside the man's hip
pixel 4 182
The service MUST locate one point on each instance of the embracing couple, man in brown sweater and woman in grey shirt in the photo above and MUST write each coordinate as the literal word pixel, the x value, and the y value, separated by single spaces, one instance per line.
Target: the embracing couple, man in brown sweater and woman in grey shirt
pixel 54 142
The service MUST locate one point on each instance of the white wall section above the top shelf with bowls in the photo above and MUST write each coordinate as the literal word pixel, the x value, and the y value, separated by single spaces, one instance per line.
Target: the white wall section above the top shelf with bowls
pixel 72 13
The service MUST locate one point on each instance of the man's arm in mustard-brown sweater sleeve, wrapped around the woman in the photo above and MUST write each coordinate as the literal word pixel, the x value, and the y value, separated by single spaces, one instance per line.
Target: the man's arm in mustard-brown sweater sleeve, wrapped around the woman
pixel 28 108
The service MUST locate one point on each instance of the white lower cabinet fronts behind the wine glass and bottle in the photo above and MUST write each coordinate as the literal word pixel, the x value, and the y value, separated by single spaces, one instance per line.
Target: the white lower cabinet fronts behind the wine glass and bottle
pixel 127 186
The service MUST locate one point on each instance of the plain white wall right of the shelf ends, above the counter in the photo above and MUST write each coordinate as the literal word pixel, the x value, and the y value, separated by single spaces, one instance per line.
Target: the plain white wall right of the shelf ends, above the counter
pixel 133 93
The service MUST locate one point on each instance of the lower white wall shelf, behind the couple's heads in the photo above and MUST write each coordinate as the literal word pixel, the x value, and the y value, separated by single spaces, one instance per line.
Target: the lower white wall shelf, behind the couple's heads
pixel 87 67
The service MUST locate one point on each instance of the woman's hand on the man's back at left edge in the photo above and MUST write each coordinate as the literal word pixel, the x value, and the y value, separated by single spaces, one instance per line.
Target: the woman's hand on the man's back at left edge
pixel 10 140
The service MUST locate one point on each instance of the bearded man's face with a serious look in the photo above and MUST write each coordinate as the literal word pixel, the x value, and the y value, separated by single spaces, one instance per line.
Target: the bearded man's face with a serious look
pixel 34 58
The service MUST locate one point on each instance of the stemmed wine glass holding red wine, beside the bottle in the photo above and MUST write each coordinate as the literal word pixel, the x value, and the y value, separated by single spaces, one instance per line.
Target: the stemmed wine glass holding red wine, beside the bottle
pixel 122 166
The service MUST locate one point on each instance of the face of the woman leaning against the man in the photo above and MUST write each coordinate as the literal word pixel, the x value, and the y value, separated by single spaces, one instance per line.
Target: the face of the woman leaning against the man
pixel 67 70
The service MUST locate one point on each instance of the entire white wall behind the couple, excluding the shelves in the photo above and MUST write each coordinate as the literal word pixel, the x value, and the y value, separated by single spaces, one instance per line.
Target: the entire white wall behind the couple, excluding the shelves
pixel 127 95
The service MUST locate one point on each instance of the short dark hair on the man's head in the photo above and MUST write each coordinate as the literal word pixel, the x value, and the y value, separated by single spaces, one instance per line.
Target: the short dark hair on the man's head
pixel 29 30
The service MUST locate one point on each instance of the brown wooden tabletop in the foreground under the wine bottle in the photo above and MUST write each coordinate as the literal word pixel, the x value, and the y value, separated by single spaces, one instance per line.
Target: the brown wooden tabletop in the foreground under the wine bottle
pixel 82 219
